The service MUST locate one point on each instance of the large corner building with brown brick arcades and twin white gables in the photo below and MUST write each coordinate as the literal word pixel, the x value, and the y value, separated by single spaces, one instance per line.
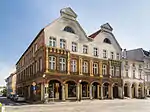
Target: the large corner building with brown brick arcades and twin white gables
pixel 64 63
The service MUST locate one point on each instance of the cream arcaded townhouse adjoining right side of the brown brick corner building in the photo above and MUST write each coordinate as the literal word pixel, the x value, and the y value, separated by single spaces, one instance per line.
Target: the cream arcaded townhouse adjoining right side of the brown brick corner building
pixel 133 76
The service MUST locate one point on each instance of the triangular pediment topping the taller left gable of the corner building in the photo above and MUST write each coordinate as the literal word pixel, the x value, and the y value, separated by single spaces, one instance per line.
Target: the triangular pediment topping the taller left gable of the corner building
pixel 68 11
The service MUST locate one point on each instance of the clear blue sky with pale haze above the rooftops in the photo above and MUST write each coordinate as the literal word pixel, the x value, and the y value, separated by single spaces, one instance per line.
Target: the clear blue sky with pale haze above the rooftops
pixel 21 20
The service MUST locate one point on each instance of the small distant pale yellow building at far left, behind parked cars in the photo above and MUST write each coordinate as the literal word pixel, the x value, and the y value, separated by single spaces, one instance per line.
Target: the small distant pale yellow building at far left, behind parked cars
pixel 11 84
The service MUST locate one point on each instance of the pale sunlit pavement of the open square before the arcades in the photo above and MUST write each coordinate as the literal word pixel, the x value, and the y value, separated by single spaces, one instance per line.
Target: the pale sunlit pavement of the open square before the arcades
pixel 126 105
